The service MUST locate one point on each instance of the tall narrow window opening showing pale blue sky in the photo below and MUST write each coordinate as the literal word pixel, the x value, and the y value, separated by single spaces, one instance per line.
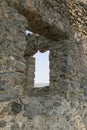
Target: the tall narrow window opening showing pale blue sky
pixel 41 69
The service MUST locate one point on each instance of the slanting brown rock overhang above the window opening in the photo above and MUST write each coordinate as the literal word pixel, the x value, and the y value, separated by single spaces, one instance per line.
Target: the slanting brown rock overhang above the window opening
pixel 44 18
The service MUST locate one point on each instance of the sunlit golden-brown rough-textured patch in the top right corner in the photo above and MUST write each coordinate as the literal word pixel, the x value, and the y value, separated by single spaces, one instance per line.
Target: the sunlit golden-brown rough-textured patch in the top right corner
pixel 78 16
